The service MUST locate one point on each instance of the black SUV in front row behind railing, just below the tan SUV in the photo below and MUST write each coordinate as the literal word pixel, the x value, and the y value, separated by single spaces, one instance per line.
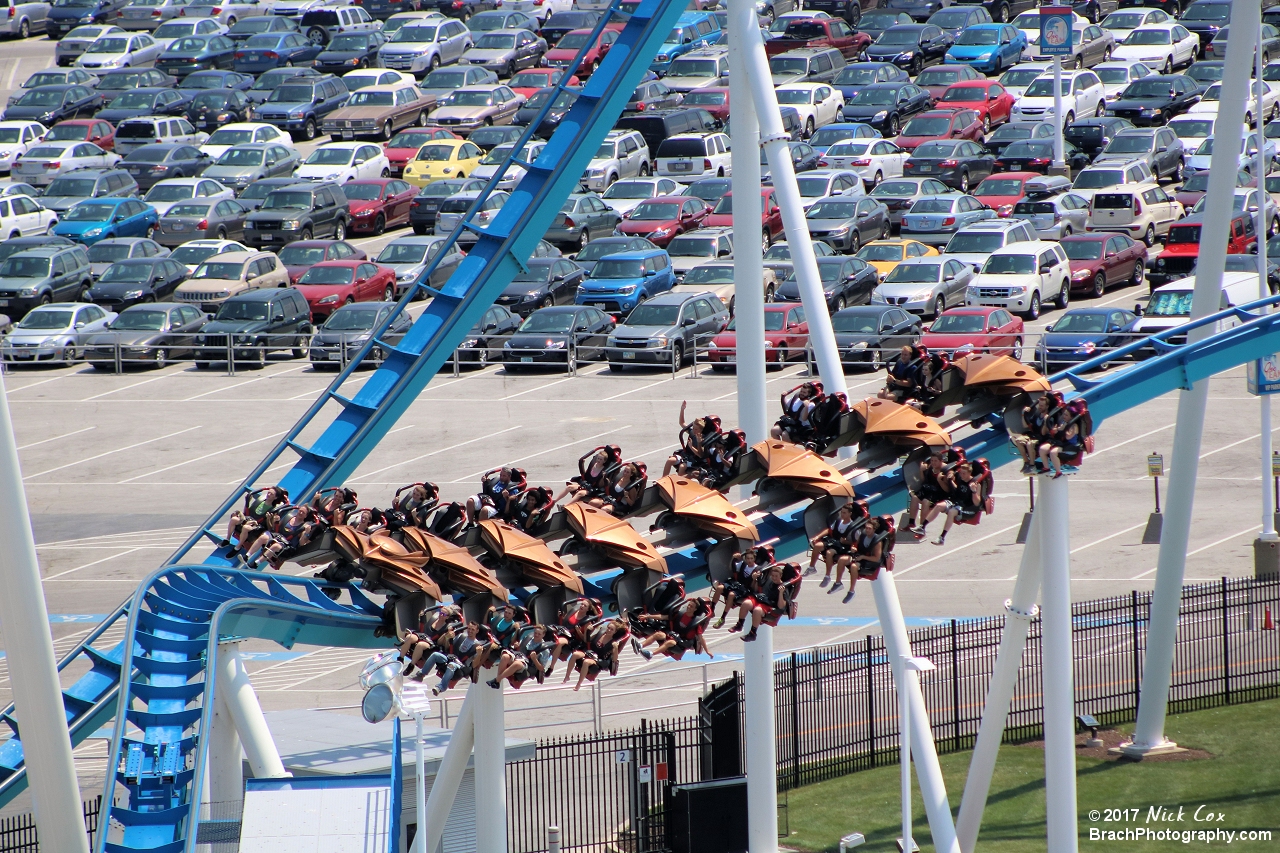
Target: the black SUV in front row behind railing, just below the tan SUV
pixel 259 322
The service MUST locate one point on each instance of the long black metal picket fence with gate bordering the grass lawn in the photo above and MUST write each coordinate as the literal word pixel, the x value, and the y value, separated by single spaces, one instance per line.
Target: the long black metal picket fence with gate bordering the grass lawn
pixel 838 710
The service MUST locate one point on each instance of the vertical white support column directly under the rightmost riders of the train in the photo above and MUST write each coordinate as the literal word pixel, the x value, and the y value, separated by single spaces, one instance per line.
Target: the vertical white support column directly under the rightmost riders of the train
pixel 1059 679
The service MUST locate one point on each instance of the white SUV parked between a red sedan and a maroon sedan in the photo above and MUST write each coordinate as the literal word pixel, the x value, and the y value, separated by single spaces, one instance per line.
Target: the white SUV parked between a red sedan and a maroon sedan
pixel 1022 277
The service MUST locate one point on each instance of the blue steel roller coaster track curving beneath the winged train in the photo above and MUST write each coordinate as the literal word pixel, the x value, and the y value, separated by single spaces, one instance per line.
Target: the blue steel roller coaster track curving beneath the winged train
pixel 154 682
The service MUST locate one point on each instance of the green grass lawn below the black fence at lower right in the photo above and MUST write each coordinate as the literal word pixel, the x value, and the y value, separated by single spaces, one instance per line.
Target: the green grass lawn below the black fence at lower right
pixel 1241 781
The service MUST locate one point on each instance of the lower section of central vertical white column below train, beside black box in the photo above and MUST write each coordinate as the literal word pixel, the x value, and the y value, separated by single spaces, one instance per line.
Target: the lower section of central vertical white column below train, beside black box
pixel 762 761
